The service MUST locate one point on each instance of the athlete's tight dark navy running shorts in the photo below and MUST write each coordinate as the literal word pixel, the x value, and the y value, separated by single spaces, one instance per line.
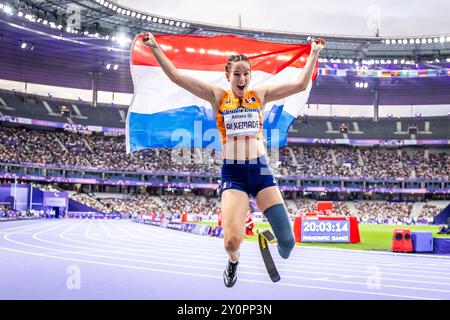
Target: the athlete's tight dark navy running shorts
pixel 249 176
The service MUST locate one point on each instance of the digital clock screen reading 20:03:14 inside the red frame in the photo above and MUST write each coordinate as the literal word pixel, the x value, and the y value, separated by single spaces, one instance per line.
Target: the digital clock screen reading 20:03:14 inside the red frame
pixel 325 231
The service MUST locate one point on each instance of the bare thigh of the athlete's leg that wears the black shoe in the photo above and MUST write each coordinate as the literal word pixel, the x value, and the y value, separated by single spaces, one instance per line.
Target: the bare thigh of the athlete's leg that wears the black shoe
pixel 234 207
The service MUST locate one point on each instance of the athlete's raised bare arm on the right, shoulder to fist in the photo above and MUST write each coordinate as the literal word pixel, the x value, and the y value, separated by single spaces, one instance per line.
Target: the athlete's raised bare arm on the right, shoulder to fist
pixel 283 90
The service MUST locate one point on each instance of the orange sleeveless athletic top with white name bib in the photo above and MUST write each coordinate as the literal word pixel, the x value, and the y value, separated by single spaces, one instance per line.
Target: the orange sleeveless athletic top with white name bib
pixel 239 118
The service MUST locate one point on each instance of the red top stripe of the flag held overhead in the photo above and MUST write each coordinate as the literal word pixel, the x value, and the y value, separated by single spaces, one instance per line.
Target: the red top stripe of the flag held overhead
pixel 212 53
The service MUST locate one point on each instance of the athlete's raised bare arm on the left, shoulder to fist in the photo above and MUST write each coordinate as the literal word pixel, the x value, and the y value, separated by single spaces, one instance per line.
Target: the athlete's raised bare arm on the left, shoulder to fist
pixel 199 88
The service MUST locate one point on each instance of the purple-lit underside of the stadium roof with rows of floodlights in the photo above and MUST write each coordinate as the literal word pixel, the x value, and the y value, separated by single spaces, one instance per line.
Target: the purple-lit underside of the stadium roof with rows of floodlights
pixel 59 57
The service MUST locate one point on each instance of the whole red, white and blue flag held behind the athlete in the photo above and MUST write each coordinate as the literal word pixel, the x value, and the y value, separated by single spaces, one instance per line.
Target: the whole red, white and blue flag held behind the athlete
pixel 164 115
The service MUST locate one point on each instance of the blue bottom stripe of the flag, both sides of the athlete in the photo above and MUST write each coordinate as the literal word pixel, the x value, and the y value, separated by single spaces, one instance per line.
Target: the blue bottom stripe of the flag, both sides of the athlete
pixel 195 126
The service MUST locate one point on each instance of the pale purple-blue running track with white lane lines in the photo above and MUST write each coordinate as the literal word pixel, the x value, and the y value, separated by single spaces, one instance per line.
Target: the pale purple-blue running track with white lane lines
pixel 103 259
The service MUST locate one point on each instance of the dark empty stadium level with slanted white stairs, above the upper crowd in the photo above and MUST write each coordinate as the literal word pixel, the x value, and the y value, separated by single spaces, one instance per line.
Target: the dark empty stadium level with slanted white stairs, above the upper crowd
pixel 36 107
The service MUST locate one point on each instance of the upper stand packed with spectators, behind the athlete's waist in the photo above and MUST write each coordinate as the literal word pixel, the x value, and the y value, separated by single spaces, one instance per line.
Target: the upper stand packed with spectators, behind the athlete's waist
pixel 108 152
